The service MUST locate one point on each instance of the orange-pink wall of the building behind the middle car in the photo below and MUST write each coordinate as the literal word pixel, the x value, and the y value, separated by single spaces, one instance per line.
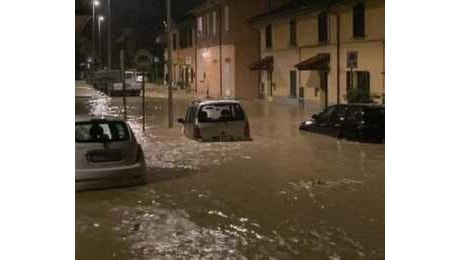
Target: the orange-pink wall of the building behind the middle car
pixel 239 49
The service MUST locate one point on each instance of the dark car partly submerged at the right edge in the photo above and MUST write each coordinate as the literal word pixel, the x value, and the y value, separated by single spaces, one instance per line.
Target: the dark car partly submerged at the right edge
pixel 356 122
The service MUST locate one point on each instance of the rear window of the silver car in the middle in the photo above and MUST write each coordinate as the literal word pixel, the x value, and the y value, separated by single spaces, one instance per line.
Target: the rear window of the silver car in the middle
pixel 220 113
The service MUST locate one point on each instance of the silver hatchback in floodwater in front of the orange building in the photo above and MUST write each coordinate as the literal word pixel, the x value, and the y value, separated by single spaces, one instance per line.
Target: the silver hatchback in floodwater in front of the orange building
pixel 216 120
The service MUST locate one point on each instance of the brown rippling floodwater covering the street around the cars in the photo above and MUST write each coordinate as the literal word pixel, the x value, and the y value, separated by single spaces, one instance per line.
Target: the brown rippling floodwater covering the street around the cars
pixel 285 195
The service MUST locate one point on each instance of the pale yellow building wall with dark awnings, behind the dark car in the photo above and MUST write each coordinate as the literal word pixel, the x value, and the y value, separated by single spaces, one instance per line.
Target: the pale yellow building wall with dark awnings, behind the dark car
pixel 370 51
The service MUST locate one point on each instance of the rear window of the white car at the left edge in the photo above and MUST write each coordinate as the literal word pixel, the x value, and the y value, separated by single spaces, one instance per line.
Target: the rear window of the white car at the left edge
pixel 100 131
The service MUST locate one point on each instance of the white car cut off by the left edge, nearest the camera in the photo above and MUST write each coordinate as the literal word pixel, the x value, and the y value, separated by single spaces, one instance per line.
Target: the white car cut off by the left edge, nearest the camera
pixel 107 154
